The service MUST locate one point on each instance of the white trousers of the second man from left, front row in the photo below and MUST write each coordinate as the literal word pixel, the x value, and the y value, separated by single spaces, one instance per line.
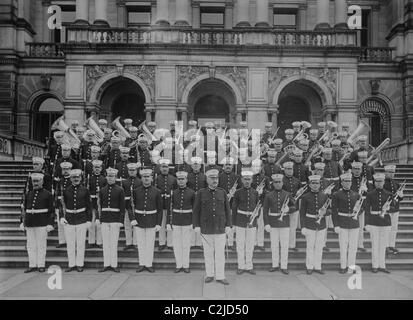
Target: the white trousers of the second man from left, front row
pixel 76 238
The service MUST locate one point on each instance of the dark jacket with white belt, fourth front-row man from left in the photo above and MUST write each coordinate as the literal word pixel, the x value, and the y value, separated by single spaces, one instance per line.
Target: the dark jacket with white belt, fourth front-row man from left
pixel 148 202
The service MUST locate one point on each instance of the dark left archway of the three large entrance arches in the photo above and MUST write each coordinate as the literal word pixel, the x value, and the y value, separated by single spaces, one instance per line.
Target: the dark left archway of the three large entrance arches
pixel 125 98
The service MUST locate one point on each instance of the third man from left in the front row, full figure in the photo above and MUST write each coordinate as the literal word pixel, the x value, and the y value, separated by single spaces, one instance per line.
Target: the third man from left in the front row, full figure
pixel 111 215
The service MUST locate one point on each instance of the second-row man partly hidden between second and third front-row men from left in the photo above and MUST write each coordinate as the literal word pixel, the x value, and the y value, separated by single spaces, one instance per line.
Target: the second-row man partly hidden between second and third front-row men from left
pixel 96 182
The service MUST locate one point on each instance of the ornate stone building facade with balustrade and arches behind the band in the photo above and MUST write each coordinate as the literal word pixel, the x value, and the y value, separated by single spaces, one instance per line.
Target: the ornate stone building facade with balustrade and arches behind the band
pixel 221 60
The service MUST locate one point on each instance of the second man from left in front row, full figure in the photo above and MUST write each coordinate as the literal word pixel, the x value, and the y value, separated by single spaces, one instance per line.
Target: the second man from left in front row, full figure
pixel 77 217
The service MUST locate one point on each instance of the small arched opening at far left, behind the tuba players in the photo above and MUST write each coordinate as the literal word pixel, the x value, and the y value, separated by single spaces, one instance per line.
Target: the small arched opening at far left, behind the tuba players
pixel 45 111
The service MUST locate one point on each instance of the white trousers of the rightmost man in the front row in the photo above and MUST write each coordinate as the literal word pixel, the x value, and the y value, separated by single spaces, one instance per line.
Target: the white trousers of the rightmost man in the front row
pixel 379 240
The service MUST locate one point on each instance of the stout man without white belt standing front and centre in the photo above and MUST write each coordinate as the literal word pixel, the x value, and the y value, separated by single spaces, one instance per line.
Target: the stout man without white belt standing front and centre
pixel 212 217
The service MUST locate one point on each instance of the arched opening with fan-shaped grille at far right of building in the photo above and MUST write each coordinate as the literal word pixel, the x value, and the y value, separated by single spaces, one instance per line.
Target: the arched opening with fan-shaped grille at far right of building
pixel 376 114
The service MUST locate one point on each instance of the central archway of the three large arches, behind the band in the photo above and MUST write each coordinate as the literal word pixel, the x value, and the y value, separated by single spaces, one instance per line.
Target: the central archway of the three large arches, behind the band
pixel 212 100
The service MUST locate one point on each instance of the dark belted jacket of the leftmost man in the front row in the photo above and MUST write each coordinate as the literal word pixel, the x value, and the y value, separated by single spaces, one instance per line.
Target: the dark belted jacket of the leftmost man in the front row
pixel 38 200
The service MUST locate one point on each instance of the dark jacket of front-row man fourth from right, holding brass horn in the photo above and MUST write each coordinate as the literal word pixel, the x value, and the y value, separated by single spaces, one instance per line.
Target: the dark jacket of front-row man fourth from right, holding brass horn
pixel 272 205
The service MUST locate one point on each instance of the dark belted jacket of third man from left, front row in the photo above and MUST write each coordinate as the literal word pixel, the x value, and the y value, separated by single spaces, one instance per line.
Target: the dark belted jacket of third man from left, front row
pixel 112 197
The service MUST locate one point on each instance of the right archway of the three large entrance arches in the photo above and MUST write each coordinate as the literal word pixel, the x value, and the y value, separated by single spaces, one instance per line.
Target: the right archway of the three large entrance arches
pixel 298 101
